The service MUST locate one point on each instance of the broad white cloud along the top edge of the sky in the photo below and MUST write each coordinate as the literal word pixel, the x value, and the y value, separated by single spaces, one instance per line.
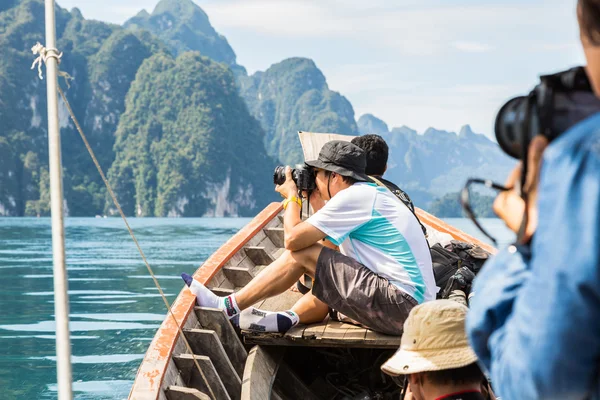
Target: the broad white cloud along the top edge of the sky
pixel 410 27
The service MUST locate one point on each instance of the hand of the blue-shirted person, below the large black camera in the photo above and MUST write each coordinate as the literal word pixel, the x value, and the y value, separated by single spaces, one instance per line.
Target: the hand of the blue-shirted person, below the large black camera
pixel 509 205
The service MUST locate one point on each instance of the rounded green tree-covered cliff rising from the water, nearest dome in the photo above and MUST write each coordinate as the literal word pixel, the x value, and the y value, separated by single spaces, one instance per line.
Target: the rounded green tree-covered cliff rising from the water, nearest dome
pixel 184 117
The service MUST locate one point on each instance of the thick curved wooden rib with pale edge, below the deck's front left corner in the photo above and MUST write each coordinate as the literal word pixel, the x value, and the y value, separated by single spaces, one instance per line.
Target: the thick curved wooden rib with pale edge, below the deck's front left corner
pixel 259 374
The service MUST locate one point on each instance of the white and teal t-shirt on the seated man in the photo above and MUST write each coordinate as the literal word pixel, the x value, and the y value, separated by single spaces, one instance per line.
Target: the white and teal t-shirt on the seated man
pixel 372 226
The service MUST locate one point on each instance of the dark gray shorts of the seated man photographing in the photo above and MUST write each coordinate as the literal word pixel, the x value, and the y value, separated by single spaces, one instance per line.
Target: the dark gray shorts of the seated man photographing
pixel 354 290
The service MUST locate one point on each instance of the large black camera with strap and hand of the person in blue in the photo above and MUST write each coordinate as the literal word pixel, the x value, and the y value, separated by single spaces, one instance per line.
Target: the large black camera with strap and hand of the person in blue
pixel 524 126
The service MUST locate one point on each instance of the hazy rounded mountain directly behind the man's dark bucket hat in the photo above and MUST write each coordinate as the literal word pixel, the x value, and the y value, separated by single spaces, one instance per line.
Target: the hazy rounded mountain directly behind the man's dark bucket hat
pixel 293 96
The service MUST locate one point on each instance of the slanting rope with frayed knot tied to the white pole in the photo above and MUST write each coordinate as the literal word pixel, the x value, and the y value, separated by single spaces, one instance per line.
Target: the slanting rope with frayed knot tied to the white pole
pixel 43 56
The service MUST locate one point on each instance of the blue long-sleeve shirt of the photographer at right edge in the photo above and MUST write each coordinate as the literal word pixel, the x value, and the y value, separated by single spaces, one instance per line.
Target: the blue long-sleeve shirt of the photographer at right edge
pixel 535 317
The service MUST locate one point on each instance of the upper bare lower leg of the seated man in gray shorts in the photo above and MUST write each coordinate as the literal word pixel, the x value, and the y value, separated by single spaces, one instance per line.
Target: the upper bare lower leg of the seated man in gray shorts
pixel 279 275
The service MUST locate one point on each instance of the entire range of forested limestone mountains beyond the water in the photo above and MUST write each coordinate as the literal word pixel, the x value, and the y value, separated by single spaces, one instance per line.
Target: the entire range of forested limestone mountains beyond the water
pixel 180 127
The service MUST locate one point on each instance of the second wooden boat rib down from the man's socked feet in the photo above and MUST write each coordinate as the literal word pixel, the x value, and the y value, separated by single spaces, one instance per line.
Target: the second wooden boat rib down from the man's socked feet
pixel 206 343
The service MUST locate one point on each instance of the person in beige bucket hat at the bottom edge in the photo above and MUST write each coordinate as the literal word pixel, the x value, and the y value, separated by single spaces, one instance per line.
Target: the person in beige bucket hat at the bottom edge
pixel 435 355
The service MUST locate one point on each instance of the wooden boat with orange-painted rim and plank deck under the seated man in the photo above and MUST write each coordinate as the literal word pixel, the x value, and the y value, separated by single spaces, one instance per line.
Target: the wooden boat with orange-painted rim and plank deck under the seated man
pixel 168 371
